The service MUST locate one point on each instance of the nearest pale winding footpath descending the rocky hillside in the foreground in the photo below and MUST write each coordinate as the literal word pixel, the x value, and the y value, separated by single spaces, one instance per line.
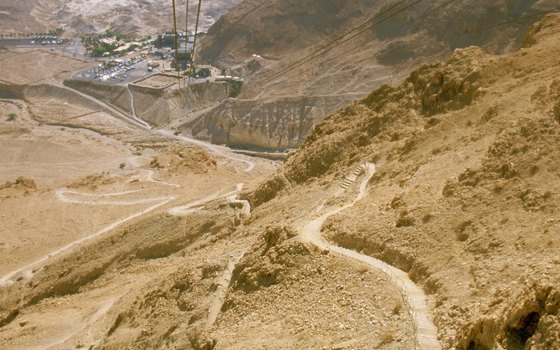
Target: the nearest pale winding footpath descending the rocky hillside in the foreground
pixel 425 330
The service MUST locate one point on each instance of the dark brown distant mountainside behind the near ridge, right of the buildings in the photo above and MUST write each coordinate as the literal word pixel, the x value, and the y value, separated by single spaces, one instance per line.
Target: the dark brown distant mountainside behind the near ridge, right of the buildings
pixel 399 31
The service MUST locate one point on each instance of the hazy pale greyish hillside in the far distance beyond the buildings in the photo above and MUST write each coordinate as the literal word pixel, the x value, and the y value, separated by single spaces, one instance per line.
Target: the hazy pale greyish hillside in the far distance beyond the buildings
pixel 135 17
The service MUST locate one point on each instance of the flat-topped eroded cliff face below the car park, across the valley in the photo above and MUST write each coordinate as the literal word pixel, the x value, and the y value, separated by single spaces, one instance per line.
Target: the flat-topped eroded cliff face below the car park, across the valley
pixel 276 123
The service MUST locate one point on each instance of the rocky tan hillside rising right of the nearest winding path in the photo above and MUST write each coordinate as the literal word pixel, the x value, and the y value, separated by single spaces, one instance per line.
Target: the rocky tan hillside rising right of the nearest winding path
pixel 466 196
